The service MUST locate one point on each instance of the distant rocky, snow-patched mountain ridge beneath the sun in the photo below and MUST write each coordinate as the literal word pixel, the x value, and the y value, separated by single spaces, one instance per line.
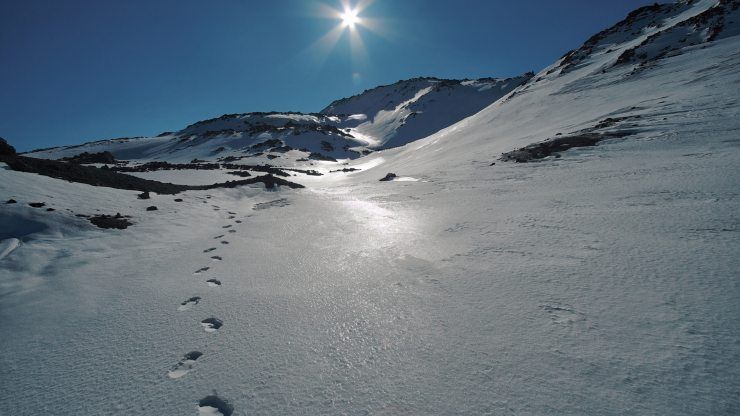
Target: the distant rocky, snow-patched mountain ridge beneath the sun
pixel 380 118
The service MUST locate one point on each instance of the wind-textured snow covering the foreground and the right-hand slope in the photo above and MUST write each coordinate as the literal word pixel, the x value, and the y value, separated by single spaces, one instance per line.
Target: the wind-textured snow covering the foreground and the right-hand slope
pixel 602 281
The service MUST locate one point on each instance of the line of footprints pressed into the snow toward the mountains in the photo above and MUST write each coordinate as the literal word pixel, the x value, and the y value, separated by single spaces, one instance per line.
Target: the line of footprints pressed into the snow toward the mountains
pixel 209 405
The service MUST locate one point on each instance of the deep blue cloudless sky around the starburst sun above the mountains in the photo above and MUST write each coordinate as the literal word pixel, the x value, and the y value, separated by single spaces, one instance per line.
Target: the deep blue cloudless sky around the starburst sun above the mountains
pixel 80 70
